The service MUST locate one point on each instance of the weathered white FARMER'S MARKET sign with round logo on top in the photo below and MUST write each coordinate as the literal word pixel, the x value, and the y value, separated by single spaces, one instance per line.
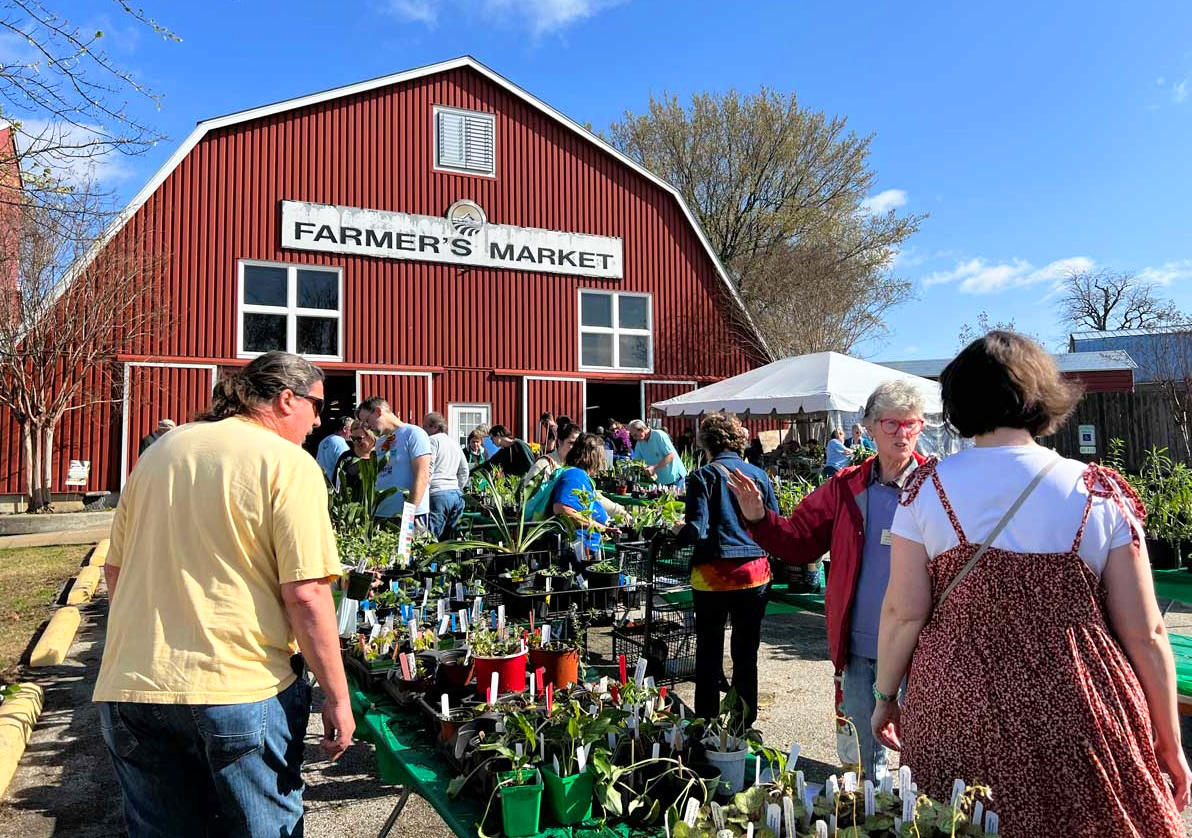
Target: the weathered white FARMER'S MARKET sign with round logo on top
pixel 463 238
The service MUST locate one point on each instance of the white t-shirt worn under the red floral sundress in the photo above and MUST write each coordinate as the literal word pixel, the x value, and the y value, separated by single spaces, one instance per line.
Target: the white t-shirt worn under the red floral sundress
pixel 983 483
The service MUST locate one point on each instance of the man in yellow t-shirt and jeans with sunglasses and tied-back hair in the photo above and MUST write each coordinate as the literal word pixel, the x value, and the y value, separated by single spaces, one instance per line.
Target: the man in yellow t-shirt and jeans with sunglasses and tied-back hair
pixel 222 557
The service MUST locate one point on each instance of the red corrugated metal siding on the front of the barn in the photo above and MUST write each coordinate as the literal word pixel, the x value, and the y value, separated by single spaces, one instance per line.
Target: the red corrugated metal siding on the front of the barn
pixel 374 150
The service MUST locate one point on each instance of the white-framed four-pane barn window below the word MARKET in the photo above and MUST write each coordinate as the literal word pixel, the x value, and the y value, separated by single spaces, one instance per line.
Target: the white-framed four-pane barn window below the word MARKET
pixel 617 331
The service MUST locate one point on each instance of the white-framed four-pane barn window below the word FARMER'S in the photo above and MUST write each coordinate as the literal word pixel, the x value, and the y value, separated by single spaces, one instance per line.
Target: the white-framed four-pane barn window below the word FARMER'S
pixel 294 308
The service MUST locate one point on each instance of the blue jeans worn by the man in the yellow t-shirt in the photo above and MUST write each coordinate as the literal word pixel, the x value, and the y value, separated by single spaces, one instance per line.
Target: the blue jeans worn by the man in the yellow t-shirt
pixel 210 769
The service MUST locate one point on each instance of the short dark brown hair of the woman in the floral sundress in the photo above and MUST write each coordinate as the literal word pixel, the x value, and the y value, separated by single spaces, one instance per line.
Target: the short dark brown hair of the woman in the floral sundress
pixel 1005 381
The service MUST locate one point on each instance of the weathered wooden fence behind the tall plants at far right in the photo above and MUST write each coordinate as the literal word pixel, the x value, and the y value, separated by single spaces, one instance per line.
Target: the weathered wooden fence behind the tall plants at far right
pixel 1141 419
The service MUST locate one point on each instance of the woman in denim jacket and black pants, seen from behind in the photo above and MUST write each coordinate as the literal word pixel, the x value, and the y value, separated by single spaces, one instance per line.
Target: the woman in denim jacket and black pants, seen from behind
pixel 730 573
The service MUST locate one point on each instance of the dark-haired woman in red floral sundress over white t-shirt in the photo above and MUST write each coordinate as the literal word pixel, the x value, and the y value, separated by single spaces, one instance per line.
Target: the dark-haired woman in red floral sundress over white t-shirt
pixel 1042 669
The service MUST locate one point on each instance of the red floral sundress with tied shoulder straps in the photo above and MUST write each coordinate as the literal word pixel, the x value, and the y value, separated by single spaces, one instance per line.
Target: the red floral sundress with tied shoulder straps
pixel 1017 684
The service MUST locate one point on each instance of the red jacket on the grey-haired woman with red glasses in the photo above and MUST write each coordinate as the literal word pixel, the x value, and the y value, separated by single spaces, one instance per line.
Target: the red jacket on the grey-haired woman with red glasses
pixel 828 520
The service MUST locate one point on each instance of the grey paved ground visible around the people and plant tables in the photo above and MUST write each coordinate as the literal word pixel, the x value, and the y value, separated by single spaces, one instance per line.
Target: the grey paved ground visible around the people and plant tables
pixel 65 785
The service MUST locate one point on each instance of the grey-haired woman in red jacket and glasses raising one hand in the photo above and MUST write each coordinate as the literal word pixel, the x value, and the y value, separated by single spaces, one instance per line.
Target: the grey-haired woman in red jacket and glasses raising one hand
pixel 850 517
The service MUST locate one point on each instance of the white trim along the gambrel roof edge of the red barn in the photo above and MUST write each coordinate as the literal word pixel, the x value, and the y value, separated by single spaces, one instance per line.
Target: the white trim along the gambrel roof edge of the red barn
pixel 468 61
